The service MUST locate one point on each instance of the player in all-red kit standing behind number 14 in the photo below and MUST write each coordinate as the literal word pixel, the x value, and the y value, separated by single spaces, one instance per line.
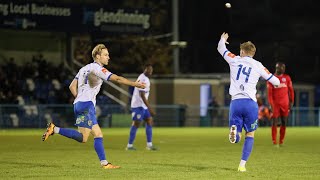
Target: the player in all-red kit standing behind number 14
pixel 281 99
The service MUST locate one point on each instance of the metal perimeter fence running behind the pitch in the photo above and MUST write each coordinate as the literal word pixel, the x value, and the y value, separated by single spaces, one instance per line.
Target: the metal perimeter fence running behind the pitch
pixel 37 116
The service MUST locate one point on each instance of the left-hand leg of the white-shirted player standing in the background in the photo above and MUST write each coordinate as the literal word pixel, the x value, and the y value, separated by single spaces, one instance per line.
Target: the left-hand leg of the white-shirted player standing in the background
pixel 137 116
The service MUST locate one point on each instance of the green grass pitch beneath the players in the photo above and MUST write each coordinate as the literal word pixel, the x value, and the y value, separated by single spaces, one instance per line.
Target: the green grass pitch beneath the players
pixel 184 153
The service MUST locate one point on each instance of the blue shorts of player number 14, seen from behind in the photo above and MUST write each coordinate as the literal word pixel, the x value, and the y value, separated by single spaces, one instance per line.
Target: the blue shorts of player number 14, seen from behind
pixel 244 114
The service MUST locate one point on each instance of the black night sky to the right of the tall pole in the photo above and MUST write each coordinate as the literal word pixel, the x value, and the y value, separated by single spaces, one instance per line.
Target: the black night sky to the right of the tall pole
pixel 283 30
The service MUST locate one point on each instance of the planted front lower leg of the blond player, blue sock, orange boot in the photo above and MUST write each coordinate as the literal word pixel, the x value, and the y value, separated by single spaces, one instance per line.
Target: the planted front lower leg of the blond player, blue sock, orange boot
pixel 99 148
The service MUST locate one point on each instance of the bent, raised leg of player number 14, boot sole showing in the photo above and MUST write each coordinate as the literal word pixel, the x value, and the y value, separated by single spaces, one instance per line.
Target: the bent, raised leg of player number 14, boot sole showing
pixel 235 121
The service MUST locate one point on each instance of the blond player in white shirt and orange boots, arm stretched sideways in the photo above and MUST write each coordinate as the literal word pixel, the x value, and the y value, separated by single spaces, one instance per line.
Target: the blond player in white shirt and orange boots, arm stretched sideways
pixel 84 87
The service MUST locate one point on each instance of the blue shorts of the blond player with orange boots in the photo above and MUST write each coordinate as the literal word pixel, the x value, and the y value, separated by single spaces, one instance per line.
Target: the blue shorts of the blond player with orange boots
pixel 85 114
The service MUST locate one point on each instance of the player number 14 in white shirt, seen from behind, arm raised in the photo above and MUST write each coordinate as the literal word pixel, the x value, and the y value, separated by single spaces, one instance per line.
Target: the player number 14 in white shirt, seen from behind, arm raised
pixel 245 73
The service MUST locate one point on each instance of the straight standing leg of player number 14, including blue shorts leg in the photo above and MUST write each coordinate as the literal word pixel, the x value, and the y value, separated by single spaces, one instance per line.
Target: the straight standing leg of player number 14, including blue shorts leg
pixel 250 124
